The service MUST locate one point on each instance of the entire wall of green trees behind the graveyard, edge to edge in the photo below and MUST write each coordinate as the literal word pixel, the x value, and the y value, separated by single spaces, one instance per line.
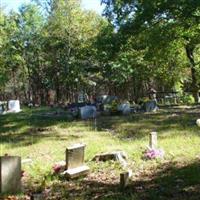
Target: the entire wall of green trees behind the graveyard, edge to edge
pixel 56 45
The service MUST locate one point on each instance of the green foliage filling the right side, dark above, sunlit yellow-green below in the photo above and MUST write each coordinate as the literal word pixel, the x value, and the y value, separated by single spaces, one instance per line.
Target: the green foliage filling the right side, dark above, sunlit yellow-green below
pixel 169 30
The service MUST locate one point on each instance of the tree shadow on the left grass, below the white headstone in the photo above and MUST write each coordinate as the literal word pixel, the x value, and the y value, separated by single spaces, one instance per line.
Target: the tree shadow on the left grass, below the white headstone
pixel 27 128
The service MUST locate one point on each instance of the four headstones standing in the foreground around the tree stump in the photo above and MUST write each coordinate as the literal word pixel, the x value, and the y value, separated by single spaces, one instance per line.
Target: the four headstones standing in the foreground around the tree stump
pixel 10 167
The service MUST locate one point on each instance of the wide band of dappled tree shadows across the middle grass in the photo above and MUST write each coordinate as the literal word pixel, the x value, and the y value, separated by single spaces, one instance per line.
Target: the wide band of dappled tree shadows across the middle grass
pixel 16 128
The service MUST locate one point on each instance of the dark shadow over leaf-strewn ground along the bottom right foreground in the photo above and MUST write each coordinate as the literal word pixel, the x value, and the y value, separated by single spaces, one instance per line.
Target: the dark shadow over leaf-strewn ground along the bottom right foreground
pixel 169 182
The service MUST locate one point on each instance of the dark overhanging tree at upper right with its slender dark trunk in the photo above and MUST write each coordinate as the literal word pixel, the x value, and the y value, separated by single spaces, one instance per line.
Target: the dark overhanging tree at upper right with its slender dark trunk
pixel 178 22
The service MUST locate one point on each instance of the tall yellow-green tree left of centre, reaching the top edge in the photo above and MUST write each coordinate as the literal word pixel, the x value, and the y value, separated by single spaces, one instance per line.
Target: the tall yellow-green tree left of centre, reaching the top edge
pixel 70 35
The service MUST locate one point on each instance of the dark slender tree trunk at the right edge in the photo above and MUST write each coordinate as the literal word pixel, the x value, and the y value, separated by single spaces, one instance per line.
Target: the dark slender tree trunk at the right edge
pixel 195 87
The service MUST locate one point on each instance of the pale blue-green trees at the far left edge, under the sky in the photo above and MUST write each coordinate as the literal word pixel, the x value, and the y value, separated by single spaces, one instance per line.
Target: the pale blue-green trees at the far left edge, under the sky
pixel 20 50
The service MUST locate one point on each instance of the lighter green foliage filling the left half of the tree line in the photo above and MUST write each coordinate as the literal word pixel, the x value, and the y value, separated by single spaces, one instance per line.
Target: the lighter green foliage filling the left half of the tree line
pixel 54 51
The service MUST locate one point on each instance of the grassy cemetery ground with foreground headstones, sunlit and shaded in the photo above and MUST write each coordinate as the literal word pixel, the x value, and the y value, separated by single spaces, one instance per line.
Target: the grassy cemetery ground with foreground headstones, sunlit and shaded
pixel 122 158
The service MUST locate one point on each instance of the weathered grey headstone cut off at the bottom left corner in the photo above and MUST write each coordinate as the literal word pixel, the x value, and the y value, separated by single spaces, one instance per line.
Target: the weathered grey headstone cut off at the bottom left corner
pixel 10 174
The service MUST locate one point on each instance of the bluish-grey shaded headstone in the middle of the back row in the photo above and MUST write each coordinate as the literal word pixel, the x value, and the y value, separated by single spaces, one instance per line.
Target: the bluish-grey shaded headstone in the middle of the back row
pixel 88 112
